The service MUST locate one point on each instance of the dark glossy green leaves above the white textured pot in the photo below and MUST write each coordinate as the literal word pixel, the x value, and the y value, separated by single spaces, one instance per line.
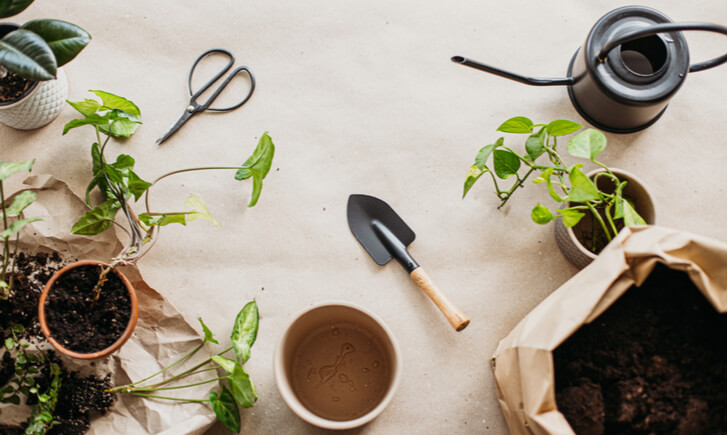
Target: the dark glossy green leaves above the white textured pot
pixel 39 47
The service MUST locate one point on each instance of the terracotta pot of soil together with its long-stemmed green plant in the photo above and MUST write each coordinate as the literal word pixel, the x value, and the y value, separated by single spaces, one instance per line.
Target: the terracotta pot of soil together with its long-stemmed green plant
pixel 88 309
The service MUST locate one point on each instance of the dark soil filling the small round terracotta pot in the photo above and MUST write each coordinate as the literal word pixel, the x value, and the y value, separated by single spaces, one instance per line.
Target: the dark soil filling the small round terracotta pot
pixel 80 322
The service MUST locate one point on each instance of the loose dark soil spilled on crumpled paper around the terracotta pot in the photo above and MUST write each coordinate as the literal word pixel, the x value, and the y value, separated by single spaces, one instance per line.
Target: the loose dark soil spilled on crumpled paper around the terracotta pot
pixel 80 398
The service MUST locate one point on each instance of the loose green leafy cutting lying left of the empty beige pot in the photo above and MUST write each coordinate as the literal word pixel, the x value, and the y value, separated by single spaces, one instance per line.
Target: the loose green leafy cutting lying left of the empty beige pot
pixel 239 390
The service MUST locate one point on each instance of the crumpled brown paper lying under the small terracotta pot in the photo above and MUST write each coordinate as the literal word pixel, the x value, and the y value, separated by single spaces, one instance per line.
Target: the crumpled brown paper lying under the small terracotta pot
pixel 161 336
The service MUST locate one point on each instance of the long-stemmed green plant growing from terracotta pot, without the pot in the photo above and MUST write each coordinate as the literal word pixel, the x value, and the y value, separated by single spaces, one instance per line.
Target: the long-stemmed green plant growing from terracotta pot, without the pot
pixel 118 117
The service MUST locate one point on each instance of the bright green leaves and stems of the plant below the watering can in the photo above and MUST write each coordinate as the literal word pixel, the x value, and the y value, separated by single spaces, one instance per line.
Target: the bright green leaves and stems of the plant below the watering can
pixel 565 184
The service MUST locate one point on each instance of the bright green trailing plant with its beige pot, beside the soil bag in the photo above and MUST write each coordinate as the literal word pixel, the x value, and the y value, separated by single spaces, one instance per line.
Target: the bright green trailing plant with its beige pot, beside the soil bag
pixel 593 206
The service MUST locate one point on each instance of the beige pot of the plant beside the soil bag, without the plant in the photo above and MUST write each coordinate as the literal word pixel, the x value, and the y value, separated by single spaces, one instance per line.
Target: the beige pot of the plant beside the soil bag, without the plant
pixel 570 245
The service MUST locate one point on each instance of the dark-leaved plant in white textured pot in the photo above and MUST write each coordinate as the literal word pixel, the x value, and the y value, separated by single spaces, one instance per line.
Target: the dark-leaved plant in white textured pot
pixel 33 87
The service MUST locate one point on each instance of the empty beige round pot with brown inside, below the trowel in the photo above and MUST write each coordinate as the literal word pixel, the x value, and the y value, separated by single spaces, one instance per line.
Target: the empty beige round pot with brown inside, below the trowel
pixel 346 371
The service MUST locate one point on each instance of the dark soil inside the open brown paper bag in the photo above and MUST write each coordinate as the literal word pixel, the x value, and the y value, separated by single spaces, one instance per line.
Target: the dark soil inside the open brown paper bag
pixel 654 362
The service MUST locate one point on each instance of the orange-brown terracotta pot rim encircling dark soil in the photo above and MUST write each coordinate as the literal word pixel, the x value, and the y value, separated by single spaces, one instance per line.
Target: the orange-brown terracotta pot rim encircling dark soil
pixel 104 352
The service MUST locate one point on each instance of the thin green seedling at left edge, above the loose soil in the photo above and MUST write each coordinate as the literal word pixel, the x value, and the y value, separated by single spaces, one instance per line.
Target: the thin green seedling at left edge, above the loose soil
pixel 12 222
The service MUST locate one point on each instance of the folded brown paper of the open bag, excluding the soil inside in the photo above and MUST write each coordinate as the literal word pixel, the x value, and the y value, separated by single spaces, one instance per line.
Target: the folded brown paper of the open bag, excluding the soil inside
pixel 523 363
